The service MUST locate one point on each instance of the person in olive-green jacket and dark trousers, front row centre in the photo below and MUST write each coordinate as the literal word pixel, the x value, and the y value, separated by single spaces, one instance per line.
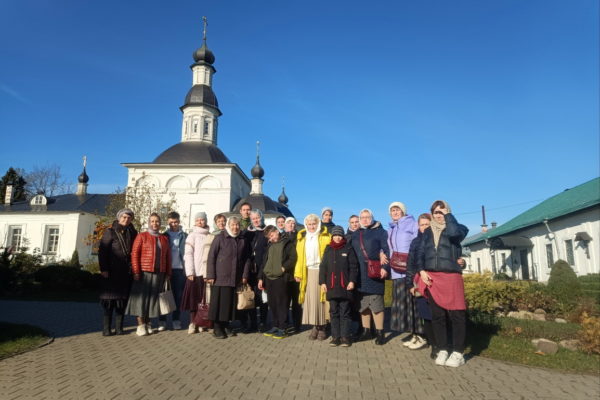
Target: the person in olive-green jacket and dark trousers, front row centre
pixel 278 266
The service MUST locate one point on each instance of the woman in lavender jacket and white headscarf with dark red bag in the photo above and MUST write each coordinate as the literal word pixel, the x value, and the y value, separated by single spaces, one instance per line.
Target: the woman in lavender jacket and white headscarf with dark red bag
pixel 401 232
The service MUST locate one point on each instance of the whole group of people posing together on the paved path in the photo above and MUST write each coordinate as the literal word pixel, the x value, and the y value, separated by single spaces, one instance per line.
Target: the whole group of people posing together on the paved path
pixel 321 276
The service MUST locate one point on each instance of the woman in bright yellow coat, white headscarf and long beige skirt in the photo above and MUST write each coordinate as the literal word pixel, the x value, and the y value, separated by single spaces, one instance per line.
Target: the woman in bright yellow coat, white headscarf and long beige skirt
pixel 311 244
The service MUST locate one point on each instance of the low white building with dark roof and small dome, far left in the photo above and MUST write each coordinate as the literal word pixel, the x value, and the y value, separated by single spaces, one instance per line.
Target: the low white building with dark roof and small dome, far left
pixel 53 226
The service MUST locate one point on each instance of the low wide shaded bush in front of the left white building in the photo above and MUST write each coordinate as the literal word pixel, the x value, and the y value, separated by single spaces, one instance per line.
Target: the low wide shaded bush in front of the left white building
pixel 59 278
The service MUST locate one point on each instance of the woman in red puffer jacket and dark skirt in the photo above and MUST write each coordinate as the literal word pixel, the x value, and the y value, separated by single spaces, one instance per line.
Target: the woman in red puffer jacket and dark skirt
pixel 151 265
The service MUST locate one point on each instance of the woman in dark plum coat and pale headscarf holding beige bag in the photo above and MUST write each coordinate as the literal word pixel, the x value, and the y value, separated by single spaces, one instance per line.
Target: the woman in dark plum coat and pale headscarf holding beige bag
pixel 227 267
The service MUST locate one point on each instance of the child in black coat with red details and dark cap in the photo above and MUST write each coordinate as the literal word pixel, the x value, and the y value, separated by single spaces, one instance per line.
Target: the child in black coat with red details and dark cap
pixel 338 273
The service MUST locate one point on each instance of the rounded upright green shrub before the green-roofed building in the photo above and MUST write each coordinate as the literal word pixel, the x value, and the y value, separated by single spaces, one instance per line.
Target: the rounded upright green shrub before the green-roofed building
pixel 564 285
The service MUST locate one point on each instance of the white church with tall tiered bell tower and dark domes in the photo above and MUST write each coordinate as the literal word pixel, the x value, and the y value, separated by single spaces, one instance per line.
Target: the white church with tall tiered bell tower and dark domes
pixel 195 172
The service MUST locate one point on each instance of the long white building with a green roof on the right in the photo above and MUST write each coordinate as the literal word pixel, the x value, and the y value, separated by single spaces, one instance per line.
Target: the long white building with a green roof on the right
pixel 565 226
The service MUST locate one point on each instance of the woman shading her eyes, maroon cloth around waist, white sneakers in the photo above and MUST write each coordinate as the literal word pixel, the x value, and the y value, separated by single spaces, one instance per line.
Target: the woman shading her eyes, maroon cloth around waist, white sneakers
pixel 440 280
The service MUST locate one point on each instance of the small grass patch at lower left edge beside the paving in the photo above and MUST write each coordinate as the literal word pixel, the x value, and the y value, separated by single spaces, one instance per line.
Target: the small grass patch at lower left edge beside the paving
pixel 16 338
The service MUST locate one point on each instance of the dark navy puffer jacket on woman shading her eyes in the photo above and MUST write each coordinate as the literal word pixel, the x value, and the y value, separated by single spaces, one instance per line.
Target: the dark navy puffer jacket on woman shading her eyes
pixel 449 250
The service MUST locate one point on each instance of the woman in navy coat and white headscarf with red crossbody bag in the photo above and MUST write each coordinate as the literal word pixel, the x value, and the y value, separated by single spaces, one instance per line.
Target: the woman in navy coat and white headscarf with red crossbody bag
pixel 369 242
